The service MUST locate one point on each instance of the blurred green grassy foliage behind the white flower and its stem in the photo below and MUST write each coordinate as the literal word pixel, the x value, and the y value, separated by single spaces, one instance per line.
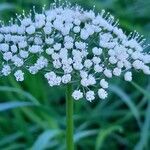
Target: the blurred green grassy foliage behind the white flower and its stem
pixel 37 120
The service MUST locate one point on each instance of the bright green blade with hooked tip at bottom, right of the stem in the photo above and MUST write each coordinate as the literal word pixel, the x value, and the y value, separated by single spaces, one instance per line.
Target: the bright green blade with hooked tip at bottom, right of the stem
pixel 103 134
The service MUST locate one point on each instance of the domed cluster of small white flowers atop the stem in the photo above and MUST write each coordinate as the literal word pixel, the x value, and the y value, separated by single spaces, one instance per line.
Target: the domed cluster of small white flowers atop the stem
pixel 71 45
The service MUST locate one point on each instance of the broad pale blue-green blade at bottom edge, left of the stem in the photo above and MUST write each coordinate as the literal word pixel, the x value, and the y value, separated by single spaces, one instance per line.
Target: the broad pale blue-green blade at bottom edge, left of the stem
pixel 44 139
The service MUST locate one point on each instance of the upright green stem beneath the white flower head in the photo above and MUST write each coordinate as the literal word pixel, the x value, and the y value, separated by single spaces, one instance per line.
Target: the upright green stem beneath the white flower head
pixel 69 118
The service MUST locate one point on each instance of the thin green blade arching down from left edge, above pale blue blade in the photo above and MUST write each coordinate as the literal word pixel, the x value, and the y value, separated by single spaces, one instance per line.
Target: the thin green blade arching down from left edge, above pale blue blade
pixel 19 91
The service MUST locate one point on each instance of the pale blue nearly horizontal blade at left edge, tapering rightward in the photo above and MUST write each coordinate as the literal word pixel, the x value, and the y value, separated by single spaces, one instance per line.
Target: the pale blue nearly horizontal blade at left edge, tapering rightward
pixel 11 105
